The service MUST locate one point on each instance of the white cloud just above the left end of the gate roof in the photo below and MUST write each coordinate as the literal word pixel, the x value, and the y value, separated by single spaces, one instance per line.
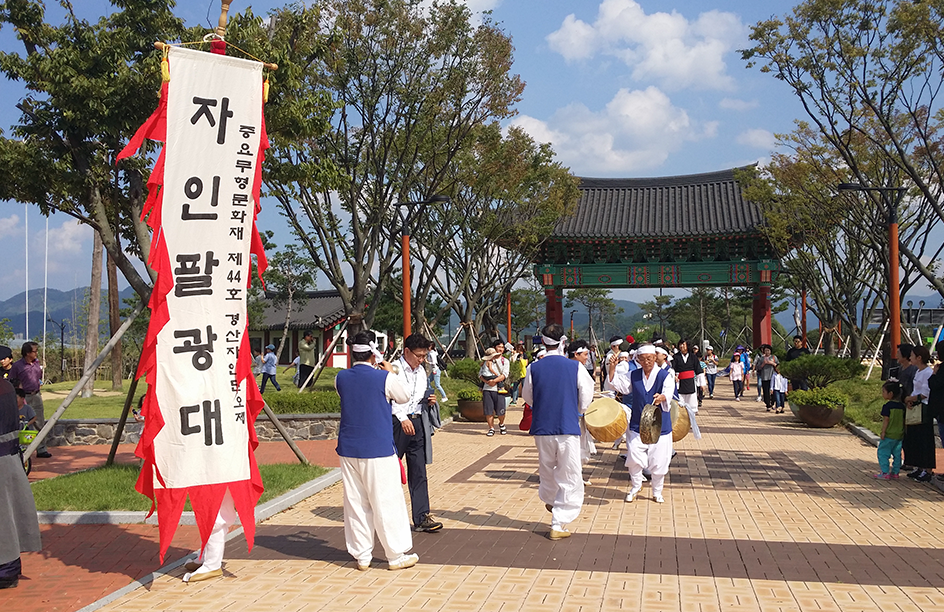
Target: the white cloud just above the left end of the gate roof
pixel 635 131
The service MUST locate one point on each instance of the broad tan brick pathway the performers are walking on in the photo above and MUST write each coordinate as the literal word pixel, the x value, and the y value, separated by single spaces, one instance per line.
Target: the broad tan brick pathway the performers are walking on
pixel 761 514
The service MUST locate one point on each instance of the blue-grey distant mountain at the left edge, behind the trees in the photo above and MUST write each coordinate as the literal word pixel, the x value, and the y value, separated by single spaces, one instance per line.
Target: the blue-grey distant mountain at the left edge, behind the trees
pixel 60 305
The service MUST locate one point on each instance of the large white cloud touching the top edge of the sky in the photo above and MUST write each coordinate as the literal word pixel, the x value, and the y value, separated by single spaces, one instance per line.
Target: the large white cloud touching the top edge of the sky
pixel 665 48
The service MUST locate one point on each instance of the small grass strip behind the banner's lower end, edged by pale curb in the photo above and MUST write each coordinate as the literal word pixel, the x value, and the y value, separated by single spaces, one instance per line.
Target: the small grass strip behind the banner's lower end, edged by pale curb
pixel 112 488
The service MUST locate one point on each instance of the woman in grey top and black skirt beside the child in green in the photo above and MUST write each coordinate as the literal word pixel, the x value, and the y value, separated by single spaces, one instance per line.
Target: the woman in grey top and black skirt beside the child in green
pixel 919 422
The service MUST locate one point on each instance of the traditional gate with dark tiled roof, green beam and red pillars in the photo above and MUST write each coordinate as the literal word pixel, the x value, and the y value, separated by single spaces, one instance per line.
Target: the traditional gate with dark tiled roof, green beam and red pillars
pixel 677 231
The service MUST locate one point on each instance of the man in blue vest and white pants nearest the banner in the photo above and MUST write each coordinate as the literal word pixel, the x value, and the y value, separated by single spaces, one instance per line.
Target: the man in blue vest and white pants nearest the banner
pixel 370 469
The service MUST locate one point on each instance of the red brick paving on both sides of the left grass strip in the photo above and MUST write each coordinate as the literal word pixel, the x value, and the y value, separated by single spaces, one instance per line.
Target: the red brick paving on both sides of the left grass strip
pixel 80 564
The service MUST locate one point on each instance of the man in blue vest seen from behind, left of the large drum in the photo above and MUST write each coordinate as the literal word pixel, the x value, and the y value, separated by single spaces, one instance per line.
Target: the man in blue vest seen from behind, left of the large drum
pixel 558 391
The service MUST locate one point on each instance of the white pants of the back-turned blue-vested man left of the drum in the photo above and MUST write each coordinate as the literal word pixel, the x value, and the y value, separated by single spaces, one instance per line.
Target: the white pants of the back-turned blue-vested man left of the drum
pixel 561 477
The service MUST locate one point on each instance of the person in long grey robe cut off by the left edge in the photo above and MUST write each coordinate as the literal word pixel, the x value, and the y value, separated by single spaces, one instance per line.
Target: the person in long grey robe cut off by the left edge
pixel 19 527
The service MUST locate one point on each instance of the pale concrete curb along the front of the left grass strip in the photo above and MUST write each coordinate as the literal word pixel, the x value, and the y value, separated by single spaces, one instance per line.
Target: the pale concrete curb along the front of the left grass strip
pixel 263 511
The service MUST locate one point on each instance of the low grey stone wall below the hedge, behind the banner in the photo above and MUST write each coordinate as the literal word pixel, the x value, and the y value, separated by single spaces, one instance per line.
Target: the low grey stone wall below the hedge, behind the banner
pixel 70 432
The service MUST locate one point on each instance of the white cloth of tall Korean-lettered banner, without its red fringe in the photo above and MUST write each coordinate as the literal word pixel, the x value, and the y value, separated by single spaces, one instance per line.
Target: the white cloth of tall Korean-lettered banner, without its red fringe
pixel 214 122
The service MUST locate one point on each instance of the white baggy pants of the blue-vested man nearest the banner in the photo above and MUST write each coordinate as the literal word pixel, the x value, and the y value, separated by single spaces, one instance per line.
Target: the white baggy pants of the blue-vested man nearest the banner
pixel 374 503
